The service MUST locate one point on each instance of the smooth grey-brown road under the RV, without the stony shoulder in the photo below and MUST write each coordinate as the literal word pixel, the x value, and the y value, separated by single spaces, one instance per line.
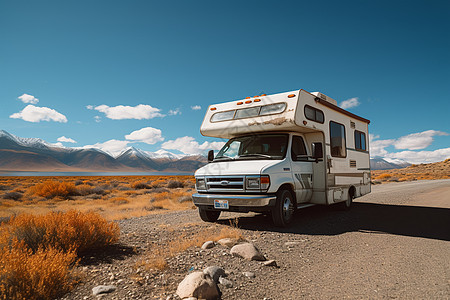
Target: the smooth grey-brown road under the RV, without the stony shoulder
pixel 394 243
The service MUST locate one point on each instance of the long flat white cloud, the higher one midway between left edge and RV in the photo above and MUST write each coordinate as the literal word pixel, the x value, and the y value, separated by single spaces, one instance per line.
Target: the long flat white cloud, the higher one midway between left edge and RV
pixel 122 112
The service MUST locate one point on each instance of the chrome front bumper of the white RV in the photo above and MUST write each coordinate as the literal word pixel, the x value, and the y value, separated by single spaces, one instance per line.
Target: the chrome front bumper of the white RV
pixel 236 201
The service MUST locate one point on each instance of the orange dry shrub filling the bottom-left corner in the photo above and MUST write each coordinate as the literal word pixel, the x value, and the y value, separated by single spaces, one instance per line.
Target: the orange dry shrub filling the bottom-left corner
pixel 45 274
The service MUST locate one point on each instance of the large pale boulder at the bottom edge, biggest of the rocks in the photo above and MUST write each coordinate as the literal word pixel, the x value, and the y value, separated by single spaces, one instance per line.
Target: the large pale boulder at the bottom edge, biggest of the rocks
pixel 198 285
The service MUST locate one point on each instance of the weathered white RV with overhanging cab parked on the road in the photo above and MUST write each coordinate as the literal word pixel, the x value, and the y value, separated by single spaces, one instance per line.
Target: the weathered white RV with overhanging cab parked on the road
pixel 285 151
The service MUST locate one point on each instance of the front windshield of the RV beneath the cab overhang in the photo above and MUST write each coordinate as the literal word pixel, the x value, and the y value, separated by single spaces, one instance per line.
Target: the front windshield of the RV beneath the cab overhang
pixel 263 146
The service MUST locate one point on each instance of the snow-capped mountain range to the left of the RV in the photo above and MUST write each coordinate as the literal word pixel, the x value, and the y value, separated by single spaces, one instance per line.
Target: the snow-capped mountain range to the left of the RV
pixel 33 154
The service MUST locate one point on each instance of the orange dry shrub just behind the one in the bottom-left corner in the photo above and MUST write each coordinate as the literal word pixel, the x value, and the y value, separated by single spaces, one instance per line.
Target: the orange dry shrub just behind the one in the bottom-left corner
pixel 68 231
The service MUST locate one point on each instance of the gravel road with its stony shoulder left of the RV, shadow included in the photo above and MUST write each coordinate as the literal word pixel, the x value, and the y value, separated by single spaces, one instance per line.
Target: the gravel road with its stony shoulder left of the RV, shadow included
pixel 393 243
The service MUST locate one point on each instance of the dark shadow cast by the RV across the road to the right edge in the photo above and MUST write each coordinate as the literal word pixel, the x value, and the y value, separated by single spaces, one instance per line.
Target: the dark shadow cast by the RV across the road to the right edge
pixel 414 221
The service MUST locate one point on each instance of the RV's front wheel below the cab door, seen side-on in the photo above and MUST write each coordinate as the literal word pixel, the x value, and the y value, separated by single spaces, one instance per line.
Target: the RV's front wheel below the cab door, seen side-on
pixel 283 211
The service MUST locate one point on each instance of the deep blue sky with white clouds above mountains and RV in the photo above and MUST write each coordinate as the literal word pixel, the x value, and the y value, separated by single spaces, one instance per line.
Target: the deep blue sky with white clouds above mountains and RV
pixel 172 56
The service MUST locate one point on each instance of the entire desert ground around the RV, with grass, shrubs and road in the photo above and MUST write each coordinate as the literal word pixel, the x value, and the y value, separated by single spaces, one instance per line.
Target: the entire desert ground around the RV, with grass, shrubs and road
pixel 394 243
